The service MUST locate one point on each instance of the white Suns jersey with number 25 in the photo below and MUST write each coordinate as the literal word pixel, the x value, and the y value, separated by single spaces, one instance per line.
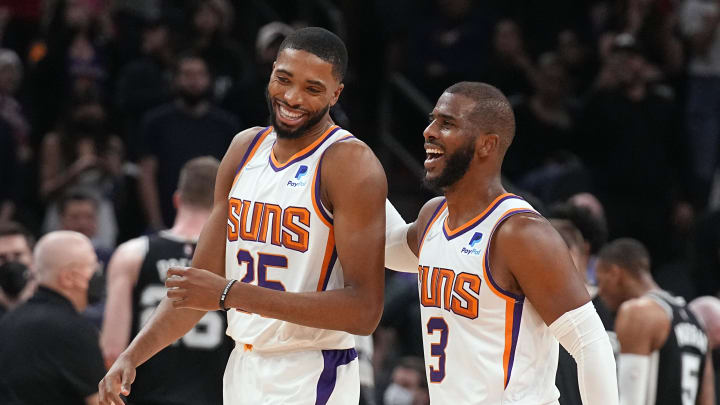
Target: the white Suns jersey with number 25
pixel 280 236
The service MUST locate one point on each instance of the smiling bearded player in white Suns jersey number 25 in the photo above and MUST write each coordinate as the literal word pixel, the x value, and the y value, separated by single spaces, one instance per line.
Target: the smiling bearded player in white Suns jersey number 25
pixel 293 247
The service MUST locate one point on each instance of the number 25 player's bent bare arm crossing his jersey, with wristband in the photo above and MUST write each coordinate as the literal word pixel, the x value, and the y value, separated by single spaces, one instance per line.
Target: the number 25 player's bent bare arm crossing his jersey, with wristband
pixel 357 200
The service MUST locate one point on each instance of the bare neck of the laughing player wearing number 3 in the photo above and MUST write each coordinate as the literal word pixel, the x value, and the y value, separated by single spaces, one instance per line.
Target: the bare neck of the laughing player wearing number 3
pixel 470 196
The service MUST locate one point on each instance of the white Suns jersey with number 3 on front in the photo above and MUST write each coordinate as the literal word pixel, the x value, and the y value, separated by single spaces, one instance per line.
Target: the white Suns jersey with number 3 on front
pixel 483 345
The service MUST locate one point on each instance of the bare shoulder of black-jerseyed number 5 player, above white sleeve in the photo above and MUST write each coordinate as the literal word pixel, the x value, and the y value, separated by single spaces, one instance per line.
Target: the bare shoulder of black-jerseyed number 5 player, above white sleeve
pixel 641 325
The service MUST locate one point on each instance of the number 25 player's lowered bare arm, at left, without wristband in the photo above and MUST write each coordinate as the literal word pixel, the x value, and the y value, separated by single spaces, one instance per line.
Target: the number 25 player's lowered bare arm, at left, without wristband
pixel 168 324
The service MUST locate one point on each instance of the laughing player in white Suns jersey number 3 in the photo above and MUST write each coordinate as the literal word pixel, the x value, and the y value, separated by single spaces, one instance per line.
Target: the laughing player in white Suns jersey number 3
pixel 498 288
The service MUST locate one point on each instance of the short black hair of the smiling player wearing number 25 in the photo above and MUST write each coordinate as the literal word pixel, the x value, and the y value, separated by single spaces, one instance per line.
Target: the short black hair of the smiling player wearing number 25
pixel 321 43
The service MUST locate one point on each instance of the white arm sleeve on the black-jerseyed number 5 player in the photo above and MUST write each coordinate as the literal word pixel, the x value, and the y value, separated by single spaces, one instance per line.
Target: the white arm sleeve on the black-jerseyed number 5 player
pixel 633 371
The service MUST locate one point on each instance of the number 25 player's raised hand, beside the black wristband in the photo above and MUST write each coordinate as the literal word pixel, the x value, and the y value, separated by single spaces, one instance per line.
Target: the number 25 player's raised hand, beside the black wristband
pixel 189 287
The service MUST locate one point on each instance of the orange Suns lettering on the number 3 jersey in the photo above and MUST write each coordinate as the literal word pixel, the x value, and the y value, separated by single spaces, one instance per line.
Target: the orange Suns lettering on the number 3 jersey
pixel 454 292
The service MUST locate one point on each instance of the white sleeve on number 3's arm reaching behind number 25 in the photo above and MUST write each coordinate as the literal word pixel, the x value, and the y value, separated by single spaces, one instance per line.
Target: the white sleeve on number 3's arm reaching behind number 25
pixel 398 255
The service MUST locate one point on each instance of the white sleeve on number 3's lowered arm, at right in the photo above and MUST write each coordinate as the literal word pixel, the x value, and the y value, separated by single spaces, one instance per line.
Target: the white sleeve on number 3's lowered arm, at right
pixel 582 334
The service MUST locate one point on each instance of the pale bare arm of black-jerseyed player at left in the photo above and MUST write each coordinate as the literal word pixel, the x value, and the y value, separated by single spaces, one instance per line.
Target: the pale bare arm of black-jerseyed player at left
pixel 122 271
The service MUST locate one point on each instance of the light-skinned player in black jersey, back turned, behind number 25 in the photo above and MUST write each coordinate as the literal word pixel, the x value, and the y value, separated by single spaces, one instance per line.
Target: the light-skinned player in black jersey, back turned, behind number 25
pixel 136 285
